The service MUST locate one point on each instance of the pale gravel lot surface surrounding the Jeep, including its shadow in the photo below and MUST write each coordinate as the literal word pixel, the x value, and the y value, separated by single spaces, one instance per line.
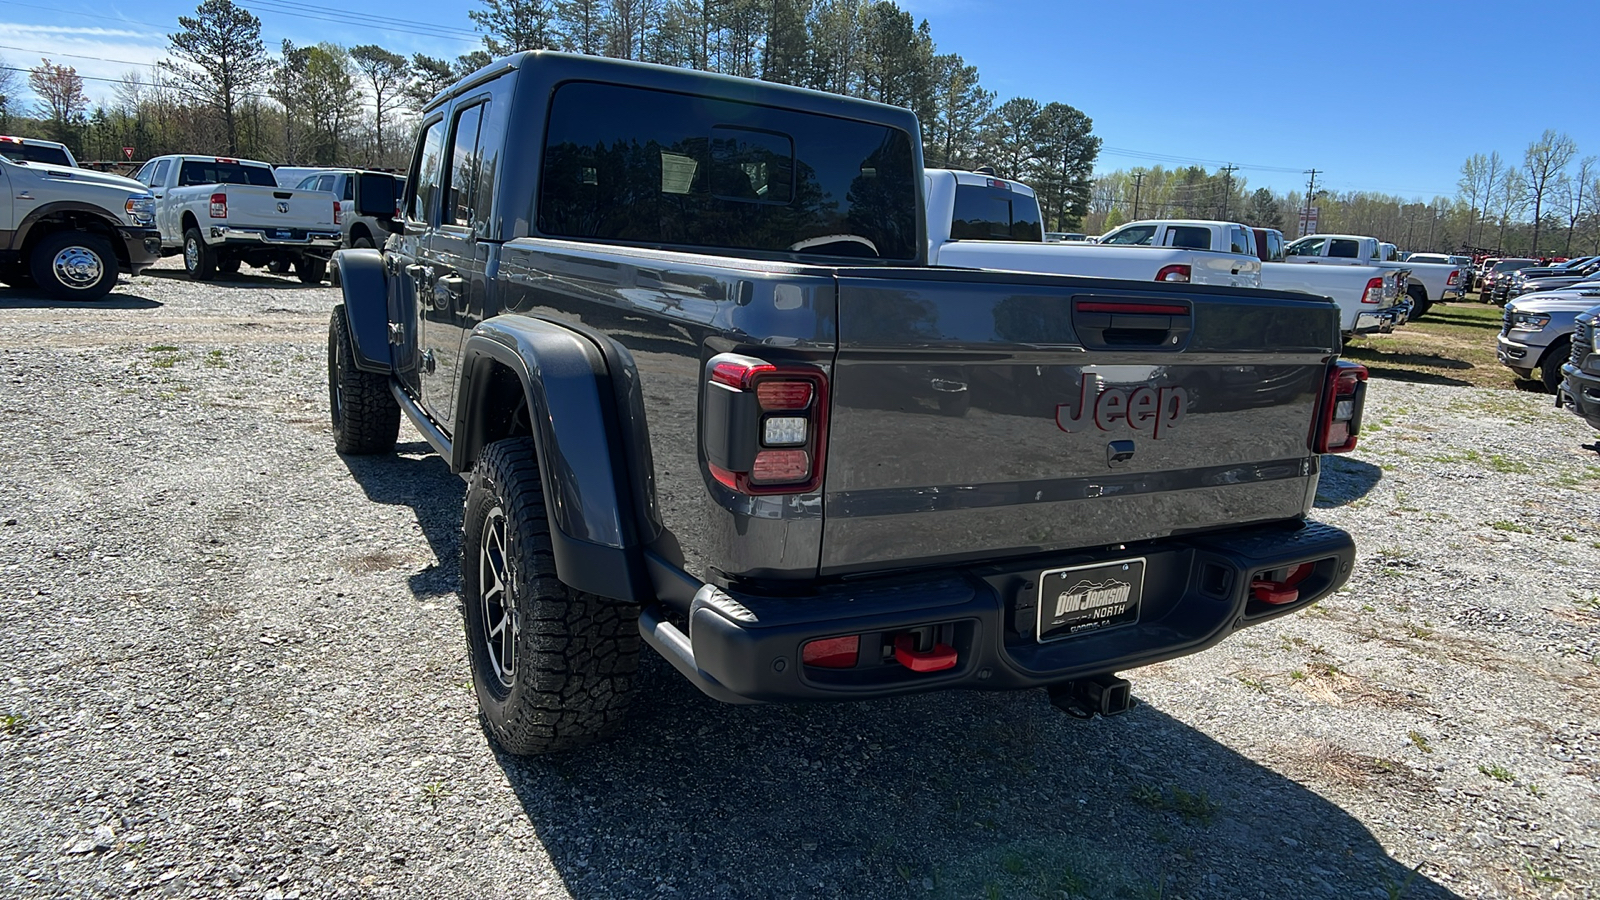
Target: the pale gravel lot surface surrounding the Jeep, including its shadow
pixel 234 667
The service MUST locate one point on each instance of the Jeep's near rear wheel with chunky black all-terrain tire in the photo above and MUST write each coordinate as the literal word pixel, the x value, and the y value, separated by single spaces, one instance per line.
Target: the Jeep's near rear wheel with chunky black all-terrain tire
pixel 553 667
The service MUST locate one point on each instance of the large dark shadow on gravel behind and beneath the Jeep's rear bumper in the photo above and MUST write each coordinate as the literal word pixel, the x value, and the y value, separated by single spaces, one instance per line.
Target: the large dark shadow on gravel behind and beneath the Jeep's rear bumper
pixel 942 797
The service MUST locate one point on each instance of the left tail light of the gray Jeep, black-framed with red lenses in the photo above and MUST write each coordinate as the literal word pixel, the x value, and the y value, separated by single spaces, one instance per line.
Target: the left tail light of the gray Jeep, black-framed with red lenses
pixel 764 427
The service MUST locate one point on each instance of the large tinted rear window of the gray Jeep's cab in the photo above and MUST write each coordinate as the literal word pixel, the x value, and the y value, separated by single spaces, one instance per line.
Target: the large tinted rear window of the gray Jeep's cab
pixel 686 171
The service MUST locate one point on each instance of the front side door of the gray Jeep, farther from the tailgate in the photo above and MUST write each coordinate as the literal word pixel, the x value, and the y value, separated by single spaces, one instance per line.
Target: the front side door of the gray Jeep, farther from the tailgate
pixel 406 262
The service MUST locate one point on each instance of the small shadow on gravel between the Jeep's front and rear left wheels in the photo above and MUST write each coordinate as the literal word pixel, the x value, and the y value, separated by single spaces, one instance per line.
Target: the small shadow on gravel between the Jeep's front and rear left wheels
pixel 417 478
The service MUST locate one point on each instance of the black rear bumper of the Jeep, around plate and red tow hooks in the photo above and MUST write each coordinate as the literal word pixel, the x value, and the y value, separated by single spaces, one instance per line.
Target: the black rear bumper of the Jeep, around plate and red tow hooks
pixel 745 648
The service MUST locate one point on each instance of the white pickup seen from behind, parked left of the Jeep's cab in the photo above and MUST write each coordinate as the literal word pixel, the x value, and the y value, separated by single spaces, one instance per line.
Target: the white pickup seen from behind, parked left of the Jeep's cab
pixel 222 212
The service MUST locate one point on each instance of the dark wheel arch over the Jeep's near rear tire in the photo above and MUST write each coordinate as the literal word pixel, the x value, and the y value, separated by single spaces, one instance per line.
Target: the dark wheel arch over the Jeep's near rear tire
pixel 582 406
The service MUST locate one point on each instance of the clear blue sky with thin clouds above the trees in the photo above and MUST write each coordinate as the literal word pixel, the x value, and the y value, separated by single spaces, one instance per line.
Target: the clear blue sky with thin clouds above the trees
pixel 1378 100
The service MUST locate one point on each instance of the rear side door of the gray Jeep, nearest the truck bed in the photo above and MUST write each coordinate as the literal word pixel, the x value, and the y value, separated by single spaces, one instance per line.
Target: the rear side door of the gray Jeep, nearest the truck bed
pixel 452 265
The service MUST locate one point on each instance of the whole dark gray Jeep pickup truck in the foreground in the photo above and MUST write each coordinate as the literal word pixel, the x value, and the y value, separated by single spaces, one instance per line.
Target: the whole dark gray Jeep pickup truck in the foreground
pixel 679 334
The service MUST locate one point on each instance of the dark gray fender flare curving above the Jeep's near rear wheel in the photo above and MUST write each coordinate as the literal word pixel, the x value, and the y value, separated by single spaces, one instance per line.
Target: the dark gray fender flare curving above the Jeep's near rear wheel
pixel 566 385
